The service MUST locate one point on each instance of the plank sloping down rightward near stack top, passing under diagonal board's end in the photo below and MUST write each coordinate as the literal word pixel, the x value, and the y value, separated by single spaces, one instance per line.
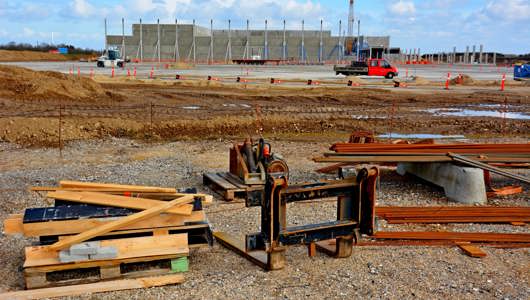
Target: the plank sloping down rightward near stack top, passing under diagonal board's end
pixel 117 201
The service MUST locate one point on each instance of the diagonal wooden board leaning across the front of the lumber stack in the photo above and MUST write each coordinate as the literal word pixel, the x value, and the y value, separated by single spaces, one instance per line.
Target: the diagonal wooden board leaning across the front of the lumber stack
pixel 91 233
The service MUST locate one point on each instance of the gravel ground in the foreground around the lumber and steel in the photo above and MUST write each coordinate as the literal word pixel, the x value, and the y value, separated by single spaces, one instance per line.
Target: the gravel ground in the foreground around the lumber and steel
pixel 374 272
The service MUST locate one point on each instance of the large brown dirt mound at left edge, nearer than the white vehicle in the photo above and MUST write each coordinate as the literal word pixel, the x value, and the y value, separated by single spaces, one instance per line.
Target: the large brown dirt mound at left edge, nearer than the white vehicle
pixel 25 84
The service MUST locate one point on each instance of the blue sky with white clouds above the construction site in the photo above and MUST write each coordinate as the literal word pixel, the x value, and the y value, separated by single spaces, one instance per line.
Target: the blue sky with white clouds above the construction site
pixel 432 25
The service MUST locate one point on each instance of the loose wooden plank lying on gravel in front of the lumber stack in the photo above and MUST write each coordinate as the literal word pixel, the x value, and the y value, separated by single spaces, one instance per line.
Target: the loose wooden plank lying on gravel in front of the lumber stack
pixel 99 287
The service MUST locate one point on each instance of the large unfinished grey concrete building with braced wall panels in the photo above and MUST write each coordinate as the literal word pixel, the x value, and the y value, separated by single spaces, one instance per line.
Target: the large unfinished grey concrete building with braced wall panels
pixel 188 42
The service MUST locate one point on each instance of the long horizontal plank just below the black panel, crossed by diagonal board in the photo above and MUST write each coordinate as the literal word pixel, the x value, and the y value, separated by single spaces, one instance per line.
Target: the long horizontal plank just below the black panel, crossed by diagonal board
pixel 68 227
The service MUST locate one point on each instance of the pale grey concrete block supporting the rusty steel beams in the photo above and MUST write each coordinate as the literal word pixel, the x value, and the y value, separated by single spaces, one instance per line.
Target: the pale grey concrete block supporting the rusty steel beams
pixel 461 184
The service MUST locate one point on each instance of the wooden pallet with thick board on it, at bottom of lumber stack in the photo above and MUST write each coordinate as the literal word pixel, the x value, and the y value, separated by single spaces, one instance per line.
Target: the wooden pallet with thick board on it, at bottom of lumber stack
pixel 136 258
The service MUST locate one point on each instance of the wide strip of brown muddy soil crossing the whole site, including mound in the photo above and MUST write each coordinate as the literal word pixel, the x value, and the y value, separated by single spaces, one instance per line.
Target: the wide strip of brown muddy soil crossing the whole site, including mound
pixel 199 109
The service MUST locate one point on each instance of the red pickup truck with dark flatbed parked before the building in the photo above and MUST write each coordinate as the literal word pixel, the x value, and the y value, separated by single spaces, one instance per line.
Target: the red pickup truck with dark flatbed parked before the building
pixel 371 67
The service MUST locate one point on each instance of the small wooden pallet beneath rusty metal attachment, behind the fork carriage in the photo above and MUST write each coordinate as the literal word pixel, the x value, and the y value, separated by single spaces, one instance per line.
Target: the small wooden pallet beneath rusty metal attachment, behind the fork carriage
pixel 228 185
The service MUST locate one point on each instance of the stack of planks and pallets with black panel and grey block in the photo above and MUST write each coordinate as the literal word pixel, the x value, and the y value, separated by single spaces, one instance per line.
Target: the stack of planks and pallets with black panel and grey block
pixel 110 228
